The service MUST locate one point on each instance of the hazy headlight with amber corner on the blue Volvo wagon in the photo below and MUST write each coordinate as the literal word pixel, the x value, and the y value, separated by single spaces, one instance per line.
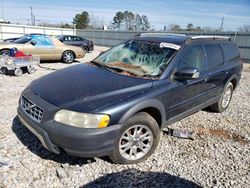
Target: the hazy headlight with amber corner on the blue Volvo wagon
pixel 82 120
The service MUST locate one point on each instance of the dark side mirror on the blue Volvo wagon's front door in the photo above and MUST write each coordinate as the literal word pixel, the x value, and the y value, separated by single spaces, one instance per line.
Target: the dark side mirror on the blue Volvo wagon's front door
pixel 187 74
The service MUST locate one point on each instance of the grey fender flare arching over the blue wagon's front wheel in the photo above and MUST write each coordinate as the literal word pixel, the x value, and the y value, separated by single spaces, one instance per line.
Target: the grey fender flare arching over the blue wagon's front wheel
pixel 151 103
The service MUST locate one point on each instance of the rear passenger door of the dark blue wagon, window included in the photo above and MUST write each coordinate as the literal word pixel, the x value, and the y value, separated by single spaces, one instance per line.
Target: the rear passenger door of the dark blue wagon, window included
pixel 216 68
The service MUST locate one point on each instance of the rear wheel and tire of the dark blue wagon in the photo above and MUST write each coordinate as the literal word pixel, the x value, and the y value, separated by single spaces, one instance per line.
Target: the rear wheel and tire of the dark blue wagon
pixel 224 100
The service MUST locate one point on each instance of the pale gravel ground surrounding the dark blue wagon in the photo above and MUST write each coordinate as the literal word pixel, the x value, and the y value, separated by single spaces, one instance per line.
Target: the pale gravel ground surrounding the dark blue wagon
pixel 217 157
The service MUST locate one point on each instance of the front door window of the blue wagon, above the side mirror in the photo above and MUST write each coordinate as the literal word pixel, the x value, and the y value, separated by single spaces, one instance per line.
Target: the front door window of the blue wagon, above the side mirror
pixel 193 58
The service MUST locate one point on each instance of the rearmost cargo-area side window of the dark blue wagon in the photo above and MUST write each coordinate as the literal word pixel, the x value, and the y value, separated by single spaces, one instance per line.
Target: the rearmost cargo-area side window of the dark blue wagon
pixel 231 52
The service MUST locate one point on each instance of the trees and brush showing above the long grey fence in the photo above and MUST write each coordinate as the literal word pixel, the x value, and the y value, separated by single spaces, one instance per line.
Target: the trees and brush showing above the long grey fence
pixel 130 21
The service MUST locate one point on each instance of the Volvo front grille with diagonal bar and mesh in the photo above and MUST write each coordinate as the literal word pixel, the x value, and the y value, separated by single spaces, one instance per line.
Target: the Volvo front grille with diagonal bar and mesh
pixel 32 110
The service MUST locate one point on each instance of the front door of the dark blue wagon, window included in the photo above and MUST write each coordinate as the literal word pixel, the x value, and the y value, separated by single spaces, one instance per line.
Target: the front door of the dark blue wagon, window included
pixel 187 94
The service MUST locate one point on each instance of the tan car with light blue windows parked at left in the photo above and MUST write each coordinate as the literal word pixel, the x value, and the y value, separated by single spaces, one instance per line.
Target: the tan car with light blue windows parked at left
pixel 48 48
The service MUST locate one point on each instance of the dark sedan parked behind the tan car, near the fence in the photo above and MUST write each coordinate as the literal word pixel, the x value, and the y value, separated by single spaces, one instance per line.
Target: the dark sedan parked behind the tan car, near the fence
pixel 85 44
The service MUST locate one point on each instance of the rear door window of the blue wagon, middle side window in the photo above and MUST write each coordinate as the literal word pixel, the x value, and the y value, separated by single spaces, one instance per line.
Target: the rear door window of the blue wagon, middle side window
pixel 214 56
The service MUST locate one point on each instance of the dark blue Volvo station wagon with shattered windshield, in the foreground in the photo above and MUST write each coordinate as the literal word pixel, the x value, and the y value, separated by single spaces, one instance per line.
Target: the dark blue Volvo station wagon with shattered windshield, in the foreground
pixel 117 104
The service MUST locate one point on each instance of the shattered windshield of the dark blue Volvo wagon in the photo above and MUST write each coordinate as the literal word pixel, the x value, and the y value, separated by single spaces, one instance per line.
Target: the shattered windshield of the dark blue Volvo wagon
pixel 140 58
